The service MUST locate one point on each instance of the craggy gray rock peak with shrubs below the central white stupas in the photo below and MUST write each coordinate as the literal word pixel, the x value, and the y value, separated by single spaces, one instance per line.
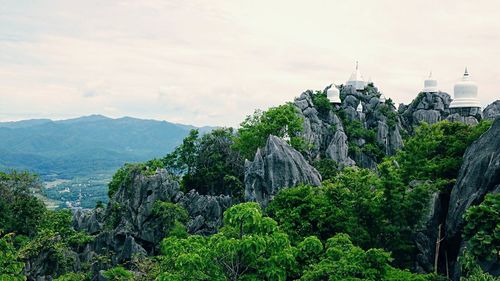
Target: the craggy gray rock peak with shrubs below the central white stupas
pixel 376 131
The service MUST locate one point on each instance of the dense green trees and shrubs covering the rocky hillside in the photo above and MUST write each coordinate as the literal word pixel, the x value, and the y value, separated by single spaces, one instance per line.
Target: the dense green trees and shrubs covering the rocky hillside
pixel 358 225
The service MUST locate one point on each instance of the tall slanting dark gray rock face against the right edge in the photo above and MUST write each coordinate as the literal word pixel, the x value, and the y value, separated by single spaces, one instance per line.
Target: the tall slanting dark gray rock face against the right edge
pixel 478 176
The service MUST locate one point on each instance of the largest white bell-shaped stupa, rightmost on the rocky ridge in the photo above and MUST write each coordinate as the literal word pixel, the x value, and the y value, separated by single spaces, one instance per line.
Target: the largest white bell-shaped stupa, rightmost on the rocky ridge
pixel 465 93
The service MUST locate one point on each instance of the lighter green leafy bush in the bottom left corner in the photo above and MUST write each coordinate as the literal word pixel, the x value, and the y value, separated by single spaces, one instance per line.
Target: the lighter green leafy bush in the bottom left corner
pixel 11 265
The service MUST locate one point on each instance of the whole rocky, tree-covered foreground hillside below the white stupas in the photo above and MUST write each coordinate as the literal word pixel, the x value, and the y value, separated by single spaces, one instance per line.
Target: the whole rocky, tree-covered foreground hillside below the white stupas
pixel 309 190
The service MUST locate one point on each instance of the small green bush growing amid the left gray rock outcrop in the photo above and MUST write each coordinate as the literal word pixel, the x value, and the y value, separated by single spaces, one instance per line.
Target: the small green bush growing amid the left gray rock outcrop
pixel 172 217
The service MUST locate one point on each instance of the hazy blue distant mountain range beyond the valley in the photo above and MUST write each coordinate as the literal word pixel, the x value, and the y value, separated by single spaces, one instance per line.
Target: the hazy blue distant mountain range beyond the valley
pixel 82 146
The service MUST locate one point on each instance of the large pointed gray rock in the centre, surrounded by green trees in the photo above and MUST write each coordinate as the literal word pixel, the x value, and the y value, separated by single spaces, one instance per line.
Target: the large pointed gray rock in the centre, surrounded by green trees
pixel 275 167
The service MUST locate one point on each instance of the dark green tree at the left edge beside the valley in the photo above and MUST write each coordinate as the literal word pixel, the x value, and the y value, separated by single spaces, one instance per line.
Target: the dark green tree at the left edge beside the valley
pixel 20 211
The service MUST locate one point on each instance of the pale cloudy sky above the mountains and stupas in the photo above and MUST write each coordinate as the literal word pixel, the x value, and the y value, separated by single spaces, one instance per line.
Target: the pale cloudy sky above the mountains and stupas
pixel 214 62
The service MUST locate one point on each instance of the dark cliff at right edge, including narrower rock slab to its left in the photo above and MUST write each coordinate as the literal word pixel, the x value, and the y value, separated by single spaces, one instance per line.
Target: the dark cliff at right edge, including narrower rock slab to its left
pixel 478 176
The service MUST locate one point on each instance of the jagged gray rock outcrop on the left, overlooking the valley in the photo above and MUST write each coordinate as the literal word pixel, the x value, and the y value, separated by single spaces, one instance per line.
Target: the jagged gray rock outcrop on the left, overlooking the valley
pixel 128 226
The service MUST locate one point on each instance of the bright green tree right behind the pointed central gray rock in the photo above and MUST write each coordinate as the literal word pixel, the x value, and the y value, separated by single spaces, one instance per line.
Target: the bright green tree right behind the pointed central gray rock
pixel 278 121
